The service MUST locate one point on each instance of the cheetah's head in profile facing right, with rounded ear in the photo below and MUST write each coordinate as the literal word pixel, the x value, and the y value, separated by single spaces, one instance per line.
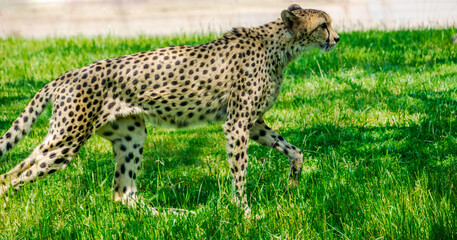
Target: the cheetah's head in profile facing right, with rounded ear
pixel 310 28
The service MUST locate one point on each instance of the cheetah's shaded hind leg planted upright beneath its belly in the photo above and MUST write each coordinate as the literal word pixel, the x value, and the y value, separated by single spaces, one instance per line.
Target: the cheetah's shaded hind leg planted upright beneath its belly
pixel 127 135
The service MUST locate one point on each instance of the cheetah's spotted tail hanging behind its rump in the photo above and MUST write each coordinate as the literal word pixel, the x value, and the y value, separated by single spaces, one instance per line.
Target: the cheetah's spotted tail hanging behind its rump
pixel 24 122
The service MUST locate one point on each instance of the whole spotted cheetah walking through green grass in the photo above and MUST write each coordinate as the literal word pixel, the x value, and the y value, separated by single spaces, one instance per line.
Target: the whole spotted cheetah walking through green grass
pixel 235 79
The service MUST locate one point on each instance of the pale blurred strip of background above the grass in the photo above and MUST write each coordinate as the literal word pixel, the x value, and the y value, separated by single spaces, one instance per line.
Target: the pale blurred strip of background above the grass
pixel 61 18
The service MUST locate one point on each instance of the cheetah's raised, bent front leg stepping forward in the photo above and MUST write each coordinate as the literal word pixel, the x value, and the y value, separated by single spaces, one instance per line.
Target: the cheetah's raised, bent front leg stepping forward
pixel 264 135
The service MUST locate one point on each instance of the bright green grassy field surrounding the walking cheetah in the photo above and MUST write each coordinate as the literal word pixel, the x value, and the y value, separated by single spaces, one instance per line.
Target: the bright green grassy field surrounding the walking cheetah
pixel 376 120
